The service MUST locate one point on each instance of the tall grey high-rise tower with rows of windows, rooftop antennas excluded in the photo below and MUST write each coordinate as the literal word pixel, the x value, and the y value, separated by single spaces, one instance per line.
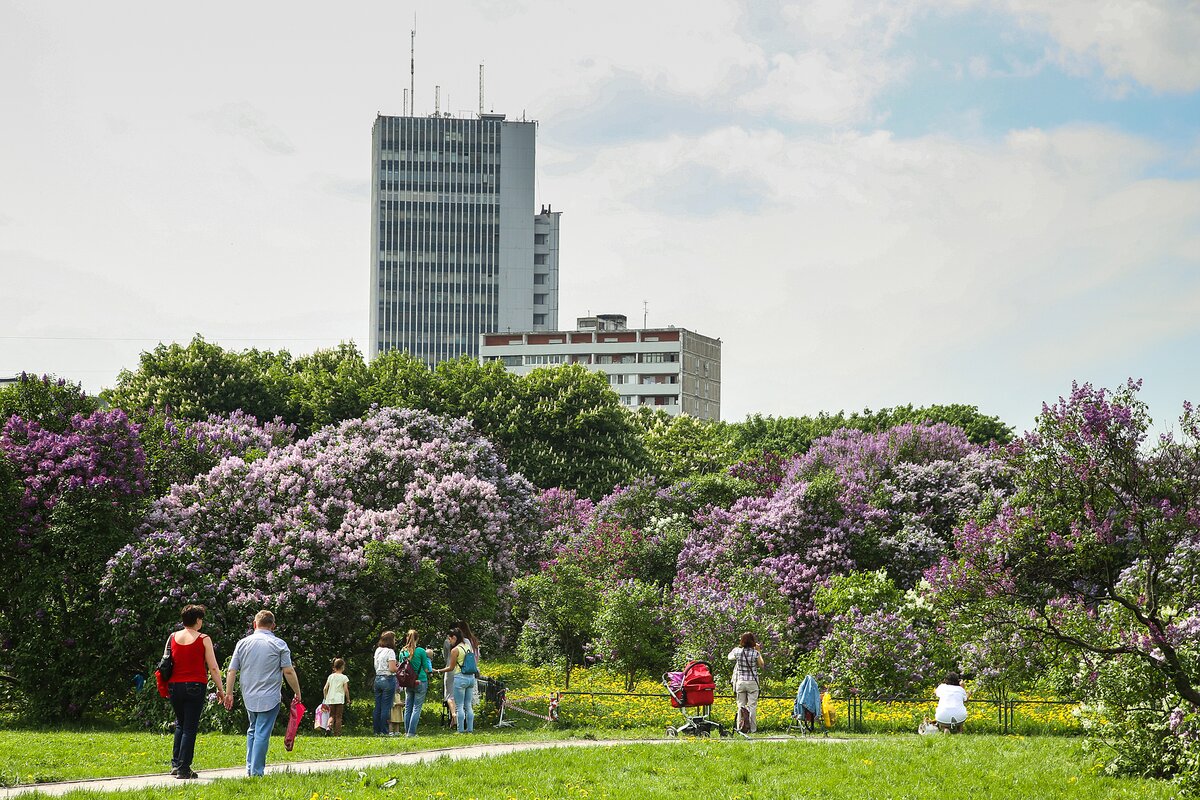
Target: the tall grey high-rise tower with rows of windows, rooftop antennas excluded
pixel 457 249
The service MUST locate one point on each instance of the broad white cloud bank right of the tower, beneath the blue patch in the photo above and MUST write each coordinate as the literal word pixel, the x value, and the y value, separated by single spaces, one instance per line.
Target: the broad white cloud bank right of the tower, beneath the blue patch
pixel 883 272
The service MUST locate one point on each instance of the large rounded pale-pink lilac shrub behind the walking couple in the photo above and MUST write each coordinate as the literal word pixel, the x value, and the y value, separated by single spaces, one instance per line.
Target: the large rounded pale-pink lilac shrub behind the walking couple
pixel 328 533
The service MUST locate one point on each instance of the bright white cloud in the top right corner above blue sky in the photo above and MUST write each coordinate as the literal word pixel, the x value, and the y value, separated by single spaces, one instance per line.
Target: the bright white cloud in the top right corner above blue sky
pixel 1154 43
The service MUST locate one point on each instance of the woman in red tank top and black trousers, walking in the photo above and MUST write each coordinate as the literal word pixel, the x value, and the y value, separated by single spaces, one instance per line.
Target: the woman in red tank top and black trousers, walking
pixel 195 663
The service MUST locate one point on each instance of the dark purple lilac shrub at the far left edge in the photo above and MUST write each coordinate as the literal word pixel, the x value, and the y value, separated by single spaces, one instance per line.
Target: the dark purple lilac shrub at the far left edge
pixel 77 494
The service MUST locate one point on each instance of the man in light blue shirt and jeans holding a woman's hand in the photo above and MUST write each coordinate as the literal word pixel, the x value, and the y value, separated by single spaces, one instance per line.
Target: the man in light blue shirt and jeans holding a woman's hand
pixel 262 659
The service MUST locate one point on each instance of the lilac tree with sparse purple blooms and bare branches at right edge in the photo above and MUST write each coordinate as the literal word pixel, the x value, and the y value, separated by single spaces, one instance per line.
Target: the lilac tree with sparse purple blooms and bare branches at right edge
pixel 1095 556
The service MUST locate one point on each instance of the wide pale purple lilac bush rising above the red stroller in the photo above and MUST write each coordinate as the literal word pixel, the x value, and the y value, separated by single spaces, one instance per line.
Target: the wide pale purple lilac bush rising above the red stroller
pixel 854 502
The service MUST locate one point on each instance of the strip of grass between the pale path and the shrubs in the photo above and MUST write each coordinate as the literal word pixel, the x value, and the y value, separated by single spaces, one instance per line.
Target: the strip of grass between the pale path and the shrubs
pixel 38 756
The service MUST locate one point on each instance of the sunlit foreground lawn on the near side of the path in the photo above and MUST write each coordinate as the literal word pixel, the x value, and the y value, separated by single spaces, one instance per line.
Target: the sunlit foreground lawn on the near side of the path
pixel 897 768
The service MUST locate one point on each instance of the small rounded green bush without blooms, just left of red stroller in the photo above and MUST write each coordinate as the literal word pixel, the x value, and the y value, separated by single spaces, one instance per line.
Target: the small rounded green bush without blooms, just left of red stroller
pixel 634 630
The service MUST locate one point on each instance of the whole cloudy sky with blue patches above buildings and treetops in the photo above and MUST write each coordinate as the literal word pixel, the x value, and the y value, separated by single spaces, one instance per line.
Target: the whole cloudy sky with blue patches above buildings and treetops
pixel 872 204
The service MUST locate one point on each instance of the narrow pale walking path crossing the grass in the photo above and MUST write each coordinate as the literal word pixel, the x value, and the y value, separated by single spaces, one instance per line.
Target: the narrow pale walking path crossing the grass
pixel 361 762
